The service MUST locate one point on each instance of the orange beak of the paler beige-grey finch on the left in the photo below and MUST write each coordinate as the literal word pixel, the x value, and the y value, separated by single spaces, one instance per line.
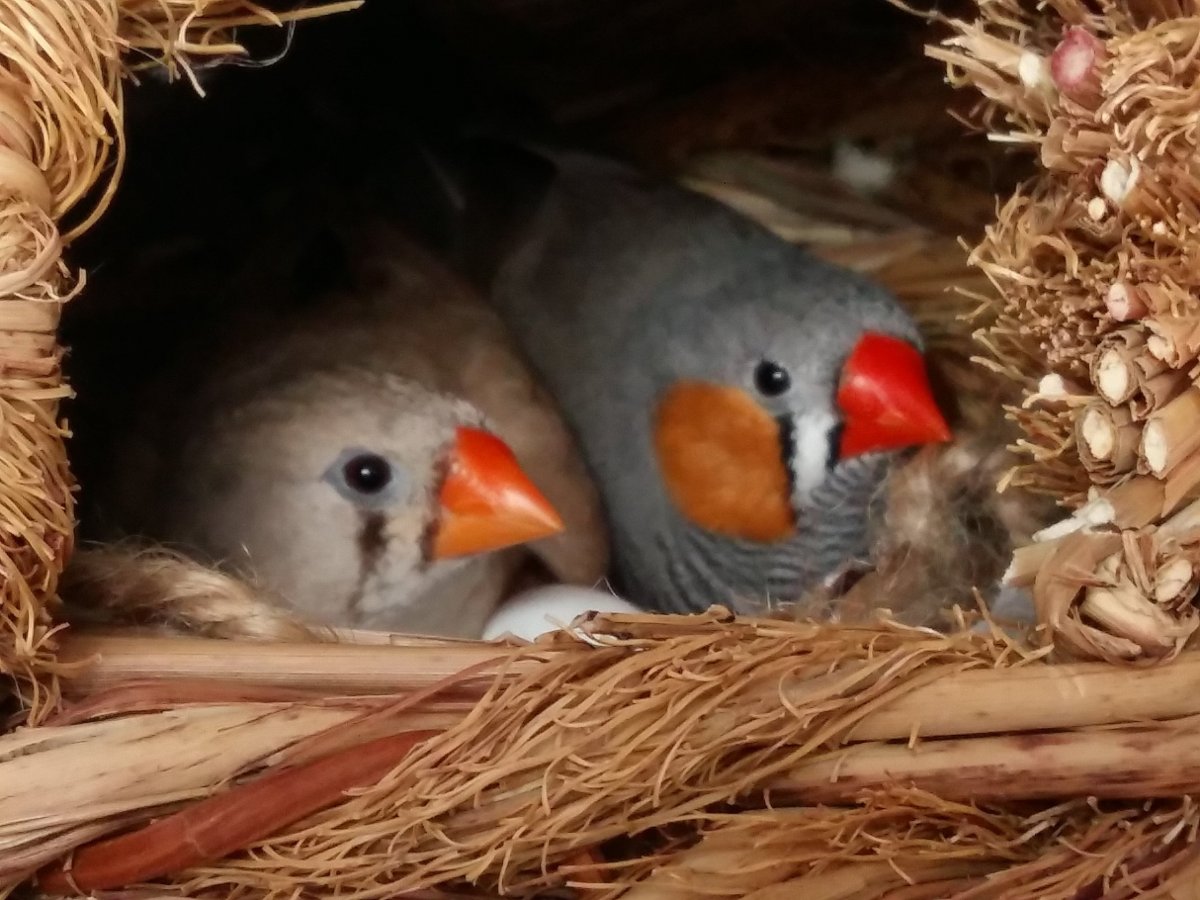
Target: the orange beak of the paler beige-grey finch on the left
pixel 488 501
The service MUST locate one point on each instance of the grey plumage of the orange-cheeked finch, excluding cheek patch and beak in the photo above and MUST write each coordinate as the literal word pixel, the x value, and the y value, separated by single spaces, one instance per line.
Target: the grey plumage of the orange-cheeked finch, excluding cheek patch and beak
pixel 621 286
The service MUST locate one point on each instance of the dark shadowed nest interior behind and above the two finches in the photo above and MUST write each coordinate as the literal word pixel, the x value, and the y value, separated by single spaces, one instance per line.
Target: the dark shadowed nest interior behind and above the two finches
pixel 830 115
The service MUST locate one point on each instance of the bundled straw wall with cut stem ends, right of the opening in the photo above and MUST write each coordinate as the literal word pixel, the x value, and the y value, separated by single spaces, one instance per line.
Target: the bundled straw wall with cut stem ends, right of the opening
pixel 1093 262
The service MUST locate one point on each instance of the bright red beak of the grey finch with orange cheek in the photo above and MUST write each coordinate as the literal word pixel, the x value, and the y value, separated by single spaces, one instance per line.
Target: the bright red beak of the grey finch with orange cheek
pixel 886 399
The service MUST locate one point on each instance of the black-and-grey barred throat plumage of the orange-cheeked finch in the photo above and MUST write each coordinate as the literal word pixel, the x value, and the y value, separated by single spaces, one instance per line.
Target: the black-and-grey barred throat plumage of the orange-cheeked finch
pixel 697 568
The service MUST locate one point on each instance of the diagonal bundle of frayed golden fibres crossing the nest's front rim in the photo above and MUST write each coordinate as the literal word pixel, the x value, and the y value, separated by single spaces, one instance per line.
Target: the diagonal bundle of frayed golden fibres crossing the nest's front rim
pixel 659 716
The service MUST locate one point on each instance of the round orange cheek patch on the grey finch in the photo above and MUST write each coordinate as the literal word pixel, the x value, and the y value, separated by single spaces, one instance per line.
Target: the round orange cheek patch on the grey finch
pixel 721 455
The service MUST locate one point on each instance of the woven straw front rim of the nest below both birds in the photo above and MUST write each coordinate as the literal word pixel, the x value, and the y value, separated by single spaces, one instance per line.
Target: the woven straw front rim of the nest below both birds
pixel 587 759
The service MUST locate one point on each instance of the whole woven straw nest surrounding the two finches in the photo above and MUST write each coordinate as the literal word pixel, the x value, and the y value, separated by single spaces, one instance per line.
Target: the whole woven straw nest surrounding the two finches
pixel 669 757
